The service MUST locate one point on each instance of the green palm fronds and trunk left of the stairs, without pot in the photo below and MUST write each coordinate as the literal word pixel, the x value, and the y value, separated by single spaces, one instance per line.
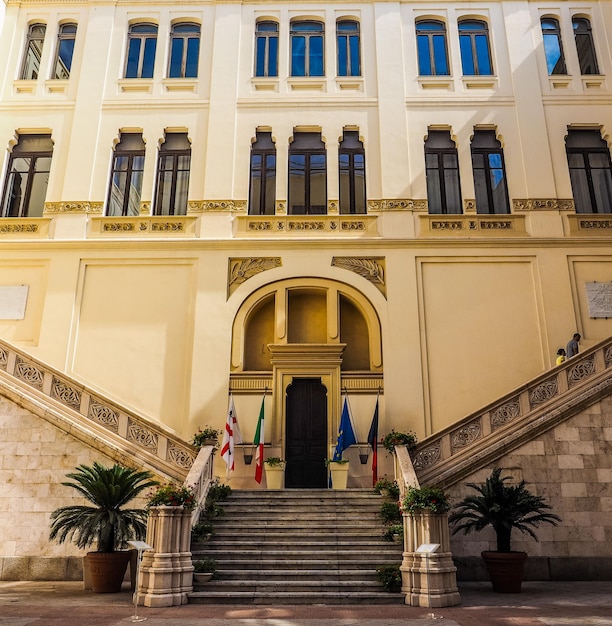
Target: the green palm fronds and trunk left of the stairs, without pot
pixel 105 523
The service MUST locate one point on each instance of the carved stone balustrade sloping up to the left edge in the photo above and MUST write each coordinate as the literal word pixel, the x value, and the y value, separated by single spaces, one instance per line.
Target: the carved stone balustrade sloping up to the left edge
pixel 90 417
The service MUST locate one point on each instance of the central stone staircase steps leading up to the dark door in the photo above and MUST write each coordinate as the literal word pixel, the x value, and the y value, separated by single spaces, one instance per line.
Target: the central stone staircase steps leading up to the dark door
pixel 298 547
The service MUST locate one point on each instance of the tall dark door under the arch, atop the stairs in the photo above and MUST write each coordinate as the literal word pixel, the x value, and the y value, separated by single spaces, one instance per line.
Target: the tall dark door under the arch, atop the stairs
pixel 306 434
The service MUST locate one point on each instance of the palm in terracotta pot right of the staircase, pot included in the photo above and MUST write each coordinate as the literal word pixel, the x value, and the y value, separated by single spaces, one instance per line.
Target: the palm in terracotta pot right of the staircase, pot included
pixel 504 508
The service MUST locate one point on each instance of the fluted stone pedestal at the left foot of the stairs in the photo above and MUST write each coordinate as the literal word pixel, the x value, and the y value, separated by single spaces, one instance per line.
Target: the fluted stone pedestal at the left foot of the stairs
pixel 166 572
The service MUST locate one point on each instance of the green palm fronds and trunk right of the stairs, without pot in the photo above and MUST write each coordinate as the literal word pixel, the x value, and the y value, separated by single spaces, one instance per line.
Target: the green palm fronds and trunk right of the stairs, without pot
pixel 504 507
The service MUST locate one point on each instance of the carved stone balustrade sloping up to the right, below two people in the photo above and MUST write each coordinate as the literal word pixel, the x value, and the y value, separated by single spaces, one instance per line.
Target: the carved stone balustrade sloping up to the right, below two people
pixel 482 437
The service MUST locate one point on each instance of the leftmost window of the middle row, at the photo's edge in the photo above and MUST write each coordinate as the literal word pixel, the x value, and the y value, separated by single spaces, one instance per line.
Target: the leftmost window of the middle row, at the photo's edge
pixel 27 177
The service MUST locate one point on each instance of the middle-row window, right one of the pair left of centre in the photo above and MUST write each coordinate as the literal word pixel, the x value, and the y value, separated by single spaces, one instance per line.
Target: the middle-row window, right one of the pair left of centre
pixel 173 175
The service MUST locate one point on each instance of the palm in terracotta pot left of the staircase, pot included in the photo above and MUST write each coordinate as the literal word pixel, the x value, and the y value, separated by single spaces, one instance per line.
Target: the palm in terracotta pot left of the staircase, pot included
pixel 107 523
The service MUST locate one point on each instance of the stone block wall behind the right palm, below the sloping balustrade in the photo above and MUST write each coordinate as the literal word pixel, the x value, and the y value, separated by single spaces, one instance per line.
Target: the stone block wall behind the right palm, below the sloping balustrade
pixel 571 467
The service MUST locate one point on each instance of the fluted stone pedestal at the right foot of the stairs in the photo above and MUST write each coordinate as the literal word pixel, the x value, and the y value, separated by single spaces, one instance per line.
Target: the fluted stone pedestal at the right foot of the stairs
pixel 428 579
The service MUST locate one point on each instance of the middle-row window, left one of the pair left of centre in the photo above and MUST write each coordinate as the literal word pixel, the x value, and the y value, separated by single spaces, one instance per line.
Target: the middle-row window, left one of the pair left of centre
pixel 126 176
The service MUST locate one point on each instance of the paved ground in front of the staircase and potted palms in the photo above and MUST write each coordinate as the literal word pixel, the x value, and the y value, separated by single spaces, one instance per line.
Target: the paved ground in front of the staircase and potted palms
pixel 540 604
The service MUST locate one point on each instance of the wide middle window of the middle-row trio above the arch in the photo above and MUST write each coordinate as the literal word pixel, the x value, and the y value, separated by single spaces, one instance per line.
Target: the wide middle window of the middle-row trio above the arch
pixel 307 175
